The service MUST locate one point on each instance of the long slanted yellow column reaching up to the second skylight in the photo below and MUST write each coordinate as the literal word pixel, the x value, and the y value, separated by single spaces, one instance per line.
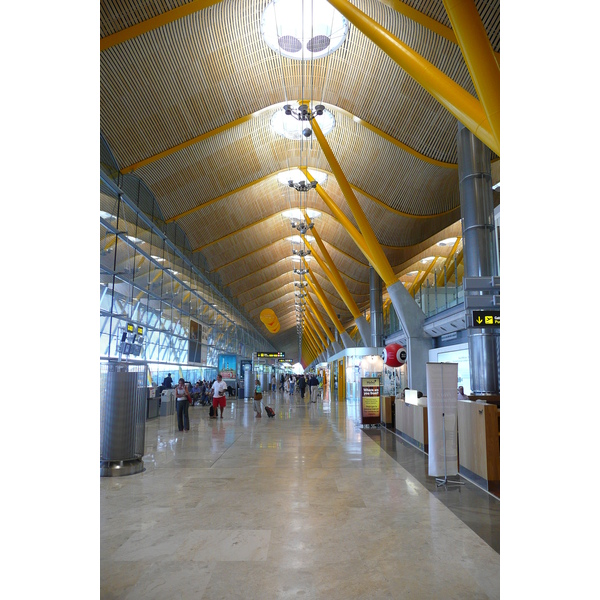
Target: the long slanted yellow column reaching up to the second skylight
pixel 380 262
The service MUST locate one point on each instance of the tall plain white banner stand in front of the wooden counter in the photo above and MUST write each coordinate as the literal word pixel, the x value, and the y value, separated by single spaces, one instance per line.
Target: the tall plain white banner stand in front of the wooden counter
pixel 442 406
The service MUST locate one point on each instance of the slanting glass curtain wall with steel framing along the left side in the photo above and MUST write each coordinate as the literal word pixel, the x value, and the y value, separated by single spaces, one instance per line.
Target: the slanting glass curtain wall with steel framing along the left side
pixel 148 282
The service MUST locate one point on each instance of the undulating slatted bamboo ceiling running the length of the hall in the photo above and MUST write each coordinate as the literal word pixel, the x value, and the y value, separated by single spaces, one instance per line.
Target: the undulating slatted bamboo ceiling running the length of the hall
pixel 187 106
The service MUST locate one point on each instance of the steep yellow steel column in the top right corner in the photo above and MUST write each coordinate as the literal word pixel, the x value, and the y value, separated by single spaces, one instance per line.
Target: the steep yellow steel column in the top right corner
pixel 479 57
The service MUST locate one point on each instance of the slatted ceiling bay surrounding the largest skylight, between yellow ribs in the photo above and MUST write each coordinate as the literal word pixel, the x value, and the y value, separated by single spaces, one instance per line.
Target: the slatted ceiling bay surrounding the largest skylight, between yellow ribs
pixel 212 67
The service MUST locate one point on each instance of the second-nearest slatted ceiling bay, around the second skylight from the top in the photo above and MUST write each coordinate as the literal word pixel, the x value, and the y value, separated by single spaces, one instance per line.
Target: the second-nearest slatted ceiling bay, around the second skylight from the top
pixel 181 182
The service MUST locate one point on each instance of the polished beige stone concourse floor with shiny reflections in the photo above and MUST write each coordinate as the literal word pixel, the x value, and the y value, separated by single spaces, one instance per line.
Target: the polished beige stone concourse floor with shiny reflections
pixel 305 505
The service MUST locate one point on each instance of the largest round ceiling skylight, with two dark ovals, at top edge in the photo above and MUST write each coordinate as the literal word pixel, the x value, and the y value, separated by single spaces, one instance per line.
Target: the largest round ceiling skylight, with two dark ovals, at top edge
pixel 315 34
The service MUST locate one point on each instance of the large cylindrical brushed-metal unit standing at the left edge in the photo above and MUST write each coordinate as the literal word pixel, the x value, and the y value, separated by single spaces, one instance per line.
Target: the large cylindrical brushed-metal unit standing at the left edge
pixel 122 418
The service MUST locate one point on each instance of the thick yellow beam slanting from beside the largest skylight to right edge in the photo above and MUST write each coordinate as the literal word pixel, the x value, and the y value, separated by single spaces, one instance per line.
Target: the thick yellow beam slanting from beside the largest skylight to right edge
pixel 467 109
